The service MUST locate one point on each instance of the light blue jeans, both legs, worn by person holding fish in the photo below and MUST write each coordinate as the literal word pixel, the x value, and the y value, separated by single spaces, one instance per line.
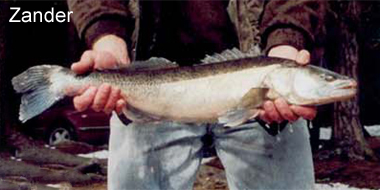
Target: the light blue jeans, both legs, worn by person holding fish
pixel 167 156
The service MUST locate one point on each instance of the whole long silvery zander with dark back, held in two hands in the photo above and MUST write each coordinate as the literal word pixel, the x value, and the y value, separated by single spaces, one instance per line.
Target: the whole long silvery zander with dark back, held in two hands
pixel 227 88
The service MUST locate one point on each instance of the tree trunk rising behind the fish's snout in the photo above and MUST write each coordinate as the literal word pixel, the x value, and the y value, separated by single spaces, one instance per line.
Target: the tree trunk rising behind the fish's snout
pixel 348 132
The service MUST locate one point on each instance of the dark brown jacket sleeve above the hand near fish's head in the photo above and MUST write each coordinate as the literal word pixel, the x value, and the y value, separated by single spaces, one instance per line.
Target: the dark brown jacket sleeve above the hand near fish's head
pixel 299 23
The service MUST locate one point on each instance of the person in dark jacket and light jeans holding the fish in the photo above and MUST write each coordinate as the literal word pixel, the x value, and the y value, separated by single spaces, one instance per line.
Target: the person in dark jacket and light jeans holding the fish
pixel 167 155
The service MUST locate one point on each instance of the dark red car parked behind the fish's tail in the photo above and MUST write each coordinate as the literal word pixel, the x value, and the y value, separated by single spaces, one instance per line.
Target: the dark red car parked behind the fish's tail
pixel 62 122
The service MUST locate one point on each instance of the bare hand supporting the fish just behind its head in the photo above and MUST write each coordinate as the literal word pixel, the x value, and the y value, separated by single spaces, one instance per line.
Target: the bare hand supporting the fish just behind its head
pixel 279 110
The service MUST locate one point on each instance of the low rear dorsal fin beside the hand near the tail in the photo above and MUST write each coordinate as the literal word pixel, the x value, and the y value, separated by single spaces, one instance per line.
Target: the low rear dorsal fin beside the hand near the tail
pixel 153 63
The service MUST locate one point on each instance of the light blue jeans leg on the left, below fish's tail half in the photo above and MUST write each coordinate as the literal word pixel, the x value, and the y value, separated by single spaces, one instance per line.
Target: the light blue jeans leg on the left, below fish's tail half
pixel 153 156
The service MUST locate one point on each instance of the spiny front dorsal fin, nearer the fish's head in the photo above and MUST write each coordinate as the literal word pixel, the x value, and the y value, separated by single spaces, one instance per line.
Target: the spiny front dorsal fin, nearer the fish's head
pixel 231 54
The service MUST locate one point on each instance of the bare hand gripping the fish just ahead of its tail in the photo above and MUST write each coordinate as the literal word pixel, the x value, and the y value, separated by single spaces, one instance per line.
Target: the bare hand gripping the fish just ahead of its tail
pixel 108 52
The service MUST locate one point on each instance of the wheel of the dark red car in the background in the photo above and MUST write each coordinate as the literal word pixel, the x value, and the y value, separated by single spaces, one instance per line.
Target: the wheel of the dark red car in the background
pixel 60 134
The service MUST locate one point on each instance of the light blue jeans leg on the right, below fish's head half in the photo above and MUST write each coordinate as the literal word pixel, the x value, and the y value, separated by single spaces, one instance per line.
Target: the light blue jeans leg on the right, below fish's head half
pixel 253 159
